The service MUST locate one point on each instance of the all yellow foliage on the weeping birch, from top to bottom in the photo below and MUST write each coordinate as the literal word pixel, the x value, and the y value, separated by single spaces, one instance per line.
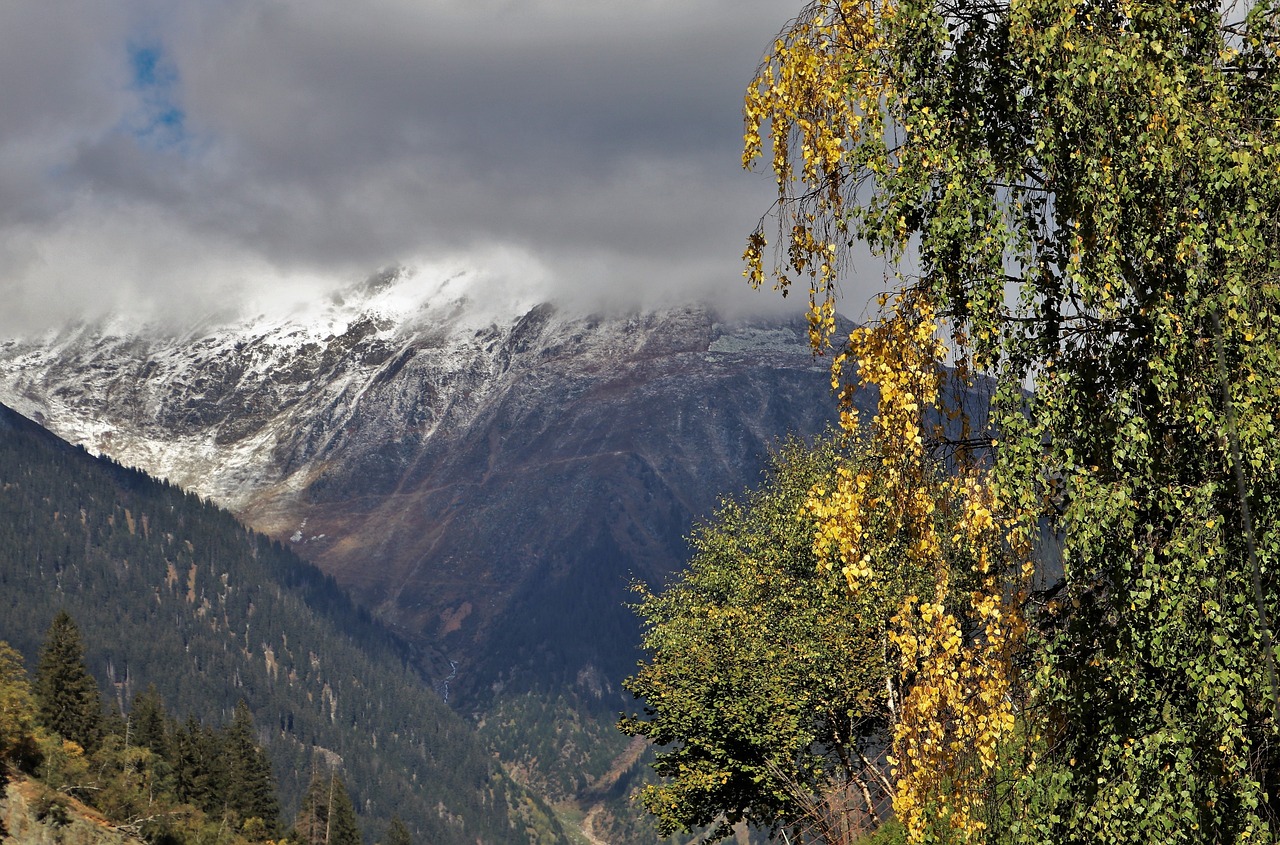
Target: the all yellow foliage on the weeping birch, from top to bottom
pixel 821 97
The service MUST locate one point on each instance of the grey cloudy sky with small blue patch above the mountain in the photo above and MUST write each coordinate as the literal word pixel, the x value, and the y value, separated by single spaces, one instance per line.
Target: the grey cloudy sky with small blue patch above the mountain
pixel 179 152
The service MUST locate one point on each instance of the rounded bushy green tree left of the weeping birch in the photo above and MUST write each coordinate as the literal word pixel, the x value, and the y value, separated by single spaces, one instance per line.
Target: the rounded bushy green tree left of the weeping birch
pixel 766 684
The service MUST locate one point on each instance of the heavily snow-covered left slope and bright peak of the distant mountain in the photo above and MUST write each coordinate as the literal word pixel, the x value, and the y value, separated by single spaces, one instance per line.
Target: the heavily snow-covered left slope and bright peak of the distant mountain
pixel 220 408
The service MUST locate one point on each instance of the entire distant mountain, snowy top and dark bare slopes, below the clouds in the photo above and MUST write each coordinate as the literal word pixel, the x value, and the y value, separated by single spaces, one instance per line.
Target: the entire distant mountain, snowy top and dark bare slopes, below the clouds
pixel 487 479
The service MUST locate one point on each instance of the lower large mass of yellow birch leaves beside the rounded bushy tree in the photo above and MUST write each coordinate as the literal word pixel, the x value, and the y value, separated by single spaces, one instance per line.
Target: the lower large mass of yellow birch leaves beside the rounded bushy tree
pixel 958 711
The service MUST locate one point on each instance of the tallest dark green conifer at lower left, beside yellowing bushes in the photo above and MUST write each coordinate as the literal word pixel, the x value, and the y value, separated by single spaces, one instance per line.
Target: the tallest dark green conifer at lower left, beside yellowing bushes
pixel 67 695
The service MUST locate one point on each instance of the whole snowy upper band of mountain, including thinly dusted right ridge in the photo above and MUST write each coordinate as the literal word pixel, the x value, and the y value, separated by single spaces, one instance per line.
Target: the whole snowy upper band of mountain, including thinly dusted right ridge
pixel 234 408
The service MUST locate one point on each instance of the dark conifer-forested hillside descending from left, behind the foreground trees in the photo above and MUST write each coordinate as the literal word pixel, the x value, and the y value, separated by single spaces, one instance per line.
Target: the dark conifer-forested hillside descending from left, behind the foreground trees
pixel 173 592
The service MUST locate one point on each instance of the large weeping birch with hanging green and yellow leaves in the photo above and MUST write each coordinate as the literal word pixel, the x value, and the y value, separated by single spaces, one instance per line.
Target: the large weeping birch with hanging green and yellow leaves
pixel 1080 199
